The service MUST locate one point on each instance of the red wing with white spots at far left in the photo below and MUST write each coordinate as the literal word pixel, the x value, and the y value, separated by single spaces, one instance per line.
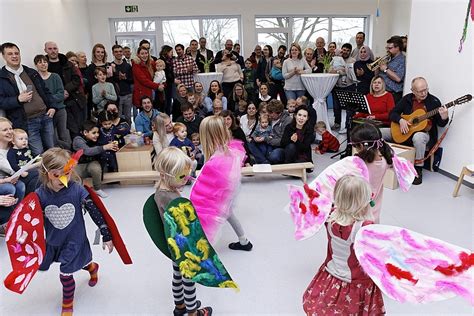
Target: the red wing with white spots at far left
pixel 25 242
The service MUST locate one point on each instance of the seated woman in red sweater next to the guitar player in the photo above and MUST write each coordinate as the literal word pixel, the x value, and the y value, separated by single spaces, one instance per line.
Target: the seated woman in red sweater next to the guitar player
pixel 380 101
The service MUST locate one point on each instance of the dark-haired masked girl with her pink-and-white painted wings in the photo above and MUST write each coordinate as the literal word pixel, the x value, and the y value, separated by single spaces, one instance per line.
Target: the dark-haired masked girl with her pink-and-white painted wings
pixel 373 159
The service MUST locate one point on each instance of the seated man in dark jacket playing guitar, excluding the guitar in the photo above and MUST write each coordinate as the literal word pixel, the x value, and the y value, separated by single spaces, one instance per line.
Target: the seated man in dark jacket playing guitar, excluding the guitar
pixel 420 98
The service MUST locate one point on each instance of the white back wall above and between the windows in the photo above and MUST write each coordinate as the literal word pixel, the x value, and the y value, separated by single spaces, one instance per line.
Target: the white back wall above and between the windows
pixel 247 9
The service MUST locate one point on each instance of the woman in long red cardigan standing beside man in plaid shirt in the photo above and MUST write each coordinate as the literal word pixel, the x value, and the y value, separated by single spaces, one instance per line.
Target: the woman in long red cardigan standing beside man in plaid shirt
pixel 143 70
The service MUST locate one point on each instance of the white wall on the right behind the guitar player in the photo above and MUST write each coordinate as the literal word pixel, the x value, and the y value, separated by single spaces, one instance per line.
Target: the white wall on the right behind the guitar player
pixel 436 27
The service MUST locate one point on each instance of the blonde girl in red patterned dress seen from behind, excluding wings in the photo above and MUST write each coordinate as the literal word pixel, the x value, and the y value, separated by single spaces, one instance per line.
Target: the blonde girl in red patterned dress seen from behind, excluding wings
pixel 341 286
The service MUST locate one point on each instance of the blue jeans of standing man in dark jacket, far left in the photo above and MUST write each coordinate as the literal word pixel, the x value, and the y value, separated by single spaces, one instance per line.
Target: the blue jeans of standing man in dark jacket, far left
pixel 40 134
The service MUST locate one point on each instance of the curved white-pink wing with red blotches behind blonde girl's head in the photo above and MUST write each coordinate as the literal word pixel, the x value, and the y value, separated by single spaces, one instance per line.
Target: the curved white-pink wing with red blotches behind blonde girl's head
pixel 310 222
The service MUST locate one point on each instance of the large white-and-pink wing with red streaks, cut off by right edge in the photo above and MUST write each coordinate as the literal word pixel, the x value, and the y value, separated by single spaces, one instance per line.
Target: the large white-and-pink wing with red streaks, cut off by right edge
pixel 412 267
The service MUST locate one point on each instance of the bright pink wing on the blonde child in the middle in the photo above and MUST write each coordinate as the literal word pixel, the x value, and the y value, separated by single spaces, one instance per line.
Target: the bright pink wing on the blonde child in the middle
pixel 214 190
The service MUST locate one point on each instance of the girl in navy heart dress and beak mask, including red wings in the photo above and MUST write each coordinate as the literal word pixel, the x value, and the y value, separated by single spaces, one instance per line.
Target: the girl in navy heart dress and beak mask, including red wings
pixel 62 200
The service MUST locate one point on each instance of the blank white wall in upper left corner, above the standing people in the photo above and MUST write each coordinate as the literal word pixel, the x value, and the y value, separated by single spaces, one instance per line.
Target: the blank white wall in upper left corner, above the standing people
pixel 29 24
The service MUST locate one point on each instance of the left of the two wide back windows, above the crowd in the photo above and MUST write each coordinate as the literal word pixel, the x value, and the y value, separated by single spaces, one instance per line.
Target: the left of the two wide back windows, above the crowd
pixel 172 31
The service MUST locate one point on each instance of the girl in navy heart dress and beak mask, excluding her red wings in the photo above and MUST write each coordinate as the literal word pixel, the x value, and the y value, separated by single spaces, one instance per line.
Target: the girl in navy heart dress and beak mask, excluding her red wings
pixel 62 199
